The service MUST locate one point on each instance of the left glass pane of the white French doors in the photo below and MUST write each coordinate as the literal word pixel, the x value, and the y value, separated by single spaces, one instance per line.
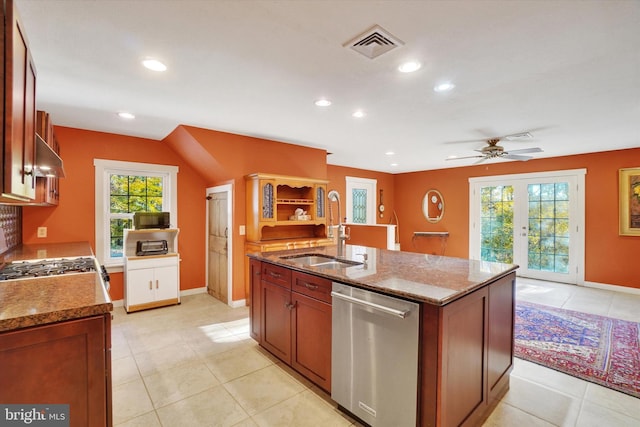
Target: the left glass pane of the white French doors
pixel 496 223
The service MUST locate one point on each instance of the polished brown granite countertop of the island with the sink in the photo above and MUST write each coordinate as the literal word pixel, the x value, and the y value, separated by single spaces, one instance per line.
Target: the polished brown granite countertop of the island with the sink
pixel 431 279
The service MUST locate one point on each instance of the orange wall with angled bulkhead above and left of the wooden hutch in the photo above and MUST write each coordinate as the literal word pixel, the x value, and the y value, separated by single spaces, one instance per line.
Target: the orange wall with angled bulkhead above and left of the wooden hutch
pixel 222 157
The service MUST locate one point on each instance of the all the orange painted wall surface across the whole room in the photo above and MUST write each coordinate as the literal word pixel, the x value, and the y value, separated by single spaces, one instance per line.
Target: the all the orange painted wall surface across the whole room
pixel 208 158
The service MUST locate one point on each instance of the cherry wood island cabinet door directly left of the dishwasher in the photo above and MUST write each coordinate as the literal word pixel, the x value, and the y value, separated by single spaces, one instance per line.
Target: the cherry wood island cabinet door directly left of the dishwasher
pixel 311 339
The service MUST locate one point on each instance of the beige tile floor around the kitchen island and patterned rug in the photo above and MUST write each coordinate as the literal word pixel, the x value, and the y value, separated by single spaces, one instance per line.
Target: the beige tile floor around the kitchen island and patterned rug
pixel 195 365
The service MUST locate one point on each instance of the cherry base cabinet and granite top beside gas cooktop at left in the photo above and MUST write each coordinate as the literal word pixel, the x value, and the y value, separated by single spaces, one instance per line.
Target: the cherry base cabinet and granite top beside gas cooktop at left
pixel 55 337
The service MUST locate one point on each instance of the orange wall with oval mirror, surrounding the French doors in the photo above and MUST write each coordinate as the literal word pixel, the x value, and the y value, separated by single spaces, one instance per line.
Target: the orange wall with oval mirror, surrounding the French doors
pixel 609 257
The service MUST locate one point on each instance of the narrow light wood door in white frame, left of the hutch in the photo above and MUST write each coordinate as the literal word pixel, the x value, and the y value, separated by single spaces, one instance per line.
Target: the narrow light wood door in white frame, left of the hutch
pixel 217 280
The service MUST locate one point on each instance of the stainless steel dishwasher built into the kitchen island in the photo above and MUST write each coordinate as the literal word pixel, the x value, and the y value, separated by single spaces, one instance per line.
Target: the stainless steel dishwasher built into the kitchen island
pixel 374 356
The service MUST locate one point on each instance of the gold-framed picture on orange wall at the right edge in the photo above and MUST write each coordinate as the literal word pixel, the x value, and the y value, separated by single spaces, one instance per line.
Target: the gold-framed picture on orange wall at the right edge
pixel 629 185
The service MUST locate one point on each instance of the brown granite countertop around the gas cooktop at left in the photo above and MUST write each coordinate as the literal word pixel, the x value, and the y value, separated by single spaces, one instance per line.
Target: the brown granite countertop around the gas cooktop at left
pixel 43 300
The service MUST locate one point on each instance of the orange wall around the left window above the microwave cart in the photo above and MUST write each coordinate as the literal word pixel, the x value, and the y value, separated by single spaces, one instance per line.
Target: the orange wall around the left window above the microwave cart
pixel 73 219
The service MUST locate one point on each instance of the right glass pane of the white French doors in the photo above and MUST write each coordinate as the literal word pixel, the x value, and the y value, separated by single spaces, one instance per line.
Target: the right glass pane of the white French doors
pixel 548 237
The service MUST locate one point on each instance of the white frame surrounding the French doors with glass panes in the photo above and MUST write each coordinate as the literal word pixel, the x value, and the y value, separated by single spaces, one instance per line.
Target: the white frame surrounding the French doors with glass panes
pixel 577 246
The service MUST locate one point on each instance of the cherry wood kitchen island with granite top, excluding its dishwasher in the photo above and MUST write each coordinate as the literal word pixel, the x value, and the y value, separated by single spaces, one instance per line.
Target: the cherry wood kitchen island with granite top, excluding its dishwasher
pixel 465 351
